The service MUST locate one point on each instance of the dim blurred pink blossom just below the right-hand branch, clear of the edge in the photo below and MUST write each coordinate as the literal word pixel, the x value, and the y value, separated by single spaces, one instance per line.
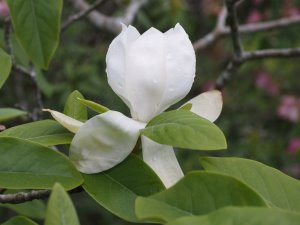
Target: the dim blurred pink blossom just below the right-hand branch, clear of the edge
pixel 265 82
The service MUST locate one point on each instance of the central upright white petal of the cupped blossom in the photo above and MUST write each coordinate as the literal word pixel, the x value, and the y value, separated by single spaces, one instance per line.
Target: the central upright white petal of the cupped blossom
pixel 146 74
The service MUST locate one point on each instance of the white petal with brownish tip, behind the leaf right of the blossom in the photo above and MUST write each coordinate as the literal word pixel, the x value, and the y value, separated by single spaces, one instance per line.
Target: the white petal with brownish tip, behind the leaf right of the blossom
pixel 207 105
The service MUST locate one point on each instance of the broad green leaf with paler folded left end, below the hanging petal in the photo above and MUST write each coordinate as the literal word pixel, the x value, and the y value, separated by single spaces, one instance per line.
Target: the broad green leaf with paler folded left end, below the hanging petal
pixel 197 193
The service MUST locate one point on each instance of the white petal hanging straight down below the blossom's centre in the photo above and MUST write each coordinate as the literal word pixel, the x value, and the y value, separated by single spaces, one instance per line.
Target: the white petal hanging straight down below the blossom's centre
pixel 162 159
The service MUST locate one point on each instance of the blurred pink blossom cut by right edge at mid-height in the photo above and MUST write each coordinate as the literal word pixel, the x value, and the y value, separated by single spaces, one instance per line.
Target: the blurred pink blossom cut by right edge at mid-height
pixel 289 108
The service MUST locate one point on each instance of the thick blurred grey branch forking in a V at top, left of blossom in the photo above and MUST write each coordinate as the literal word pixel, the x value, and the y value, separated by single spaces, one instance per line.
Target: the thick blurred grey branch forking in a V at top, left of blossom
pixel 112 24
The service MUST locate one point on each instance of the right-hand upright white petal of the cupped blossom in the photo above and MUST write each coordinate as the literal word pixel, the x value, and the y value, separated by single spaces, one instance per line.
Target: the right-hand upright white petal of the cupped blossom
pixel 180 66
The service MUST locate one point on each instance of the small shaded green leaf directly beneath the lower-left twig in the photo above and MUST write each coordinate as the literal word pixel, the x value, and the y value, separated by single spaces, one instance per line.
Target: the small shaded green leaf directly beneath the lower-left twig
pixel 34 209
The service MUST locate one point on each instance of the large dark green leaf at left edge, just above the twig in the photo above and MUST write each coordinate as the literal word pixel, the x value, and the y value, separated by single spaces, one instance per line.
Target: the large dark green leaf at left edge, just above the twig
pixel 27 165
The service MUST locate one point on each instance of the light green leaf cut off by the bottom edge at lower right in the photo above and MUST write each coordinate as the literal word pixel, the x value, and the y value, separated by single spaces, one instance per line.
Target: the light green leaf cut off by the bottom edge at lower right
pixel 242 216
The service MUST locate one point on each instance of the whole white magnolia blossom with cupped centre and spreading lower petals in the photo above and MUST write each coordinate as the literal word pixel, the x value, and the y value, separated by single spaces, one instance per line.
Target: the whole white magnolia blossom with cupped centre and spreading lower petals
pixel 149 72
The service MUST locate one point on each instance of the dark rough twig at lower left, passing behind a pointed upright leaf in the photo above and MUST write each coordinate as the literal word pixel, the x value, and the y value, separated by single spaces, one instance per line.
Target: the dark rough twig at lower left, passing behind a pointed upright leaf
pixel 21 197
